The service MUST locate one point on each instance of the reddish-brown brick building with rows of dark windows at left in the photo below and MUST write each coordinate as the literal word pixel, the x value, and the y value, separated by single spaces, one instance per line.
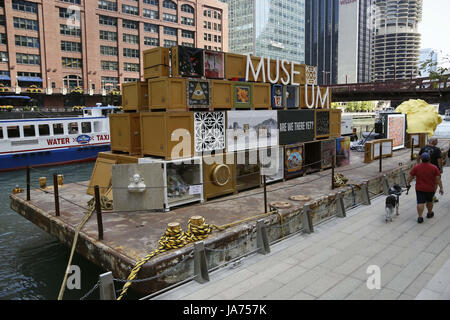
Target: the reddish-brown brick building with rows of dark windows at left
pixel 98 44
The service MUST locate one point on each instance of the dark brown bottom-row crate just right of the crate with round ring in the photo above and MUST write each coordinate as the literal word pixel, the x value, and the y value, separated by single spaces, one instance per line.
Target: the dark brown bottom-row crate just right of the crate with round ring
pixel 248 173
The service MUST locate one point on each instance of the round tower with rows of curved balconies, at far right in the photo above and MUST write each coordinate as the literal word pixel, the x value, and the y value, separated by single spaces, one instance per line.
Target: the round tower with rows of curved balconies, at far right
pixel 396 40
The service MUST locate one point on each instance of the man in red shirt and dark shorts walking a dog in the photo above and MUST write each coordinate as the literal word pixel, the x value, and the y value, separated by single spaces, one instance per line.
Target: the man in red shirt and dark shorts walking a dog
pixel 428 177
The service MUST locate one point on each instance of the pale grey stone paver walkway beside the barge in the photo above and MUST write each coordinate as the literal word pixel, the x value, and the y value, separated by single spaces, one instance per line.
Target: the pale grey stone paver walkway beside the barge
pixel 332 262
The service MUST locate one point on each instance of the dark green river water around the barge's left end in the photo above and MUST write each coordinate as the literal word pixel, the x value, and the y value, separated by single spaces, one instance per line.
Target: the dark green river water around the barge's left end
pixel 32 262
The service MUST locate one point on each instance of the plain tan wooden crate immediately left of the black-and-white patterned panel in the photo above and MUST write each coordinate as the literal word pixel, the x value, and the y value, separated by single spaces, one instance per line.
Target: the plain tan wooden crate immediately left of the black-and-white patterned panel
pixel 158 129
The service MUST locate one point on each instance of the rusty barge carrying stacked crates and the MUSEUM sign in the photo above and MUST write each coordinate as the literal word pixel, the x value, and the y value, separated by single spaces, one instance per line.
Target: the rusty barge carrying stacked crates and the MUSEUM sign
pixel 155 176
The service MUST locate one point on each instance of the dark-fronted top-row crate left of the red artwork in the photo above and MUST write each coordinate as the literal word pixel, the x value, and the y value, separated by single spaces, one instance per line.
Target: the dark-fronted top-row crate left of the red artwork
pixel 187 62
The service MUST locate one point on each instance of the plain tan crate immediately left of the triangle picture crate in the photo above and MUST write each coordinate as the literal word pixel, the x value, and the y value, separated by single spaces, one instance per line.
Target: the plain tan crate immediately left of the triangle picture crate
pixel 167 93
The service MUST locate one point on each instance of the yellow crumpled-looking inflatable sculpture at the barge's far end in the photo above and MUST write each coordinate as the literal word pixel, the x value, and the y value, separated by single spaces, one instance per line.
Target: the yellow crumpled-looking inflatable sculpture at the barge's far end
pixel 421 116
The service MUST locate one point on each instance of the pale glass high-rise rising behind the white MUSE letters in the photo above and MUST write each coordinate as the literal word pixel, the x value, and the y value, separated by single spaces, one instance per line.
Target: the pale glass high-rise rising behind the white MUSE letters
pixel 267 28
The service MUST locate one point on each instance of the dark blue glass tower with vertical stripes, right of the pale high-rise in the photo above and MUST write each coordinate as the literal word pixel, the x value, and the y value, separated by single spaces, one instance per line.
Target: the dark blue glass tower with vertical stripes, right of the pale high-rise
pixel 321 38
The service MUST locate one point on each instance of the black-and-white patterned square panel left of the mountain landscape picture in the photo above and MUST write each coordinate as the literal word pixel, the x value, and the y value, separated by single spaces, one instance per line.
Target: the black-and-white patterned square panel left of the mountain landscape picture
pixel 209 131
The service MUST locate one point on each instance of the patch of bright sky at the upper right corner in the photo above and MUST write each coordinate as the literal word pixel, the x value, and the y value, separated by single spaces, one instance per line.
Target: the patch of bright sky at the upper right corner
pixel 435 25
